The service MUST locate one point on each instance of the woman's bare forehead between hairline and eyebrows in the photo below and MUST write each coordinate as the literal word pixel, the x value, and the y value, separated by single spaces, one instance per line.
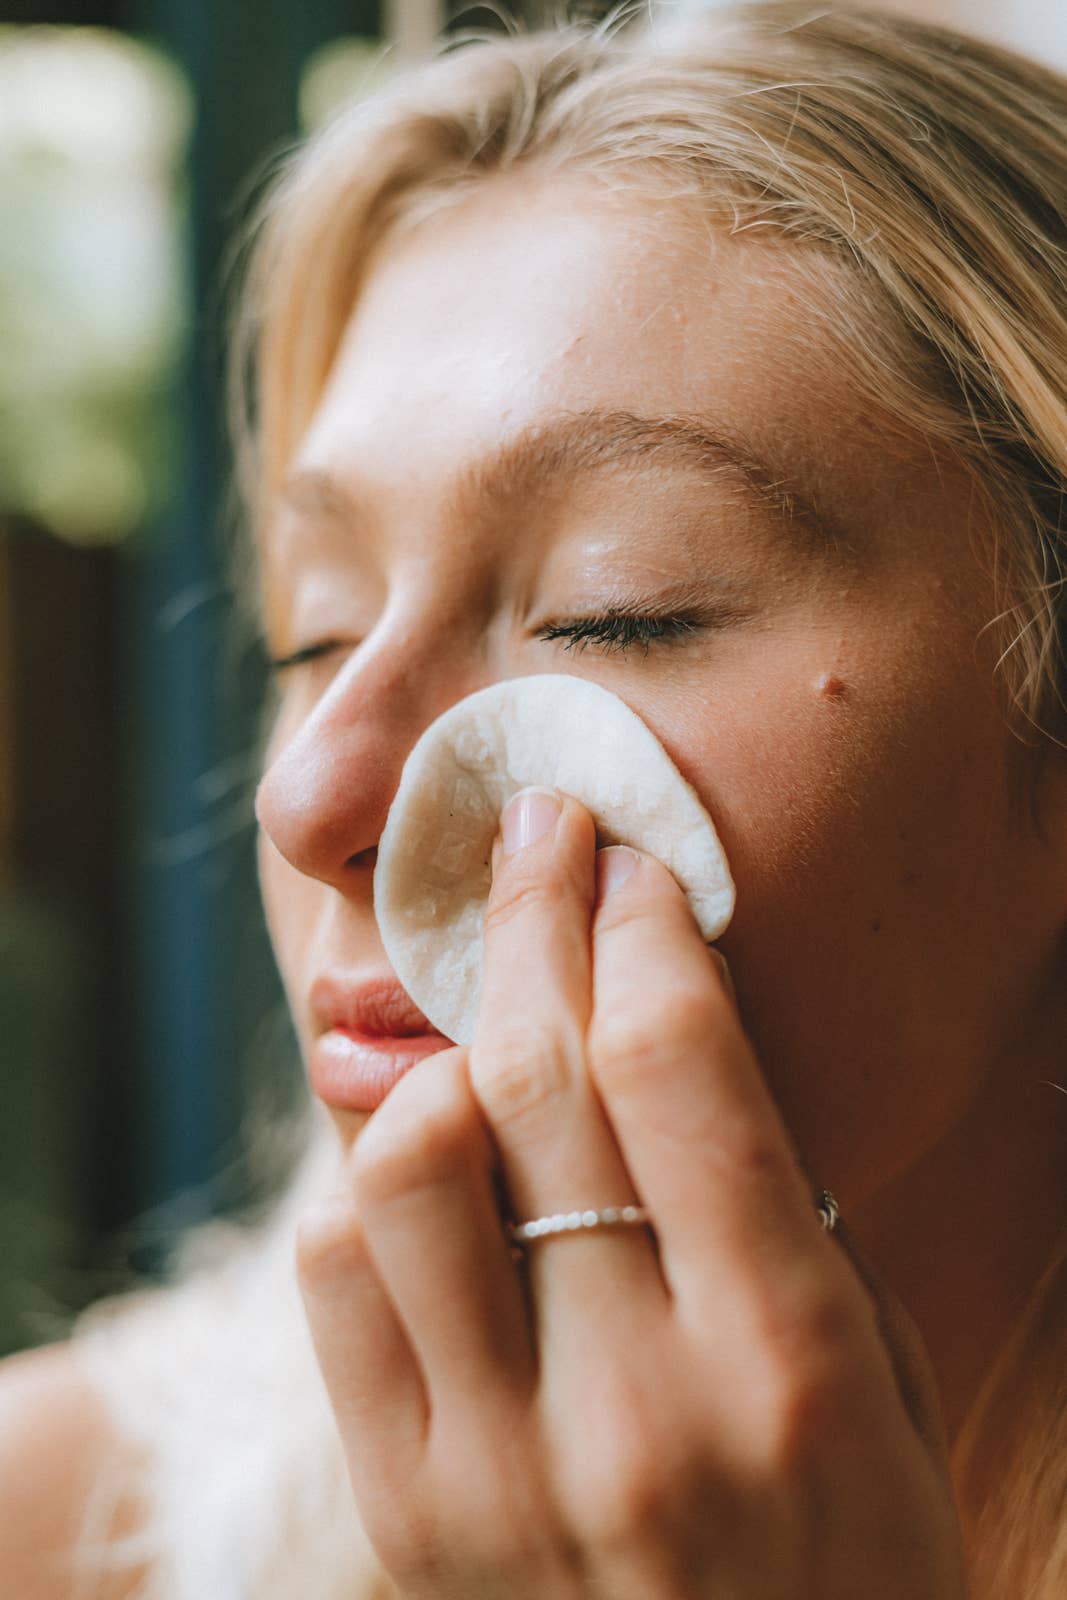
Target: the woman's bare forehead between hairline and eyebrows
pixel 533 298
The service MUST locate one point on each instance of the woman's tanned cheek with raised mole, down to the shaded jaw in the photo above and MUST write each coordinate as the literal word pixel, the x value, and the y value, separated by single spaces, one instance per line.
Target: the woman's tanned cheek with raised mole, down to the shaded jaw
pixel 857 814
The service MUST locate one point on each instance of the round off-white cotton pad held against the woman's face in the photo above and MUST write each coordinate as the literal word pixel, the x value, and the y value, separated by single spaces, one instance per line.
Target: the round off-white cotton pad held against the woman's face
pixel 557 732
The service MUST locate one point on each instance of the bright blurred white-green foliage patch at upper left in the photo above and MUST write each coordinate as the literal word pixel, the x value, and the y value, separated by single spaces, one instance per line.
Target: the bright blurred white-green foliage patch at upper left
pixel 94 302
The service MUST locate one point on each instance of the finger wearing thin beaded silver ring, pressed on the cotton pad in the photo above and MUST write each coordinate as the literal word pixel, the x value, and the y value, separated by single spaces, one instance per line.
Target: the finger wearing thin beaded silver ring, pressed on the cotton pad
pixel 529 1065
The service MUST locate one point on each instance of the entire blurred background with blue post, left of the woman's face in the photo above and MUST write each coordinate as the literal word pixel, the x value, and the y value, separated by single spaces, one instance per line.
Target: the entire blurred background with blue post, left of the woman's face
pixel 142 1023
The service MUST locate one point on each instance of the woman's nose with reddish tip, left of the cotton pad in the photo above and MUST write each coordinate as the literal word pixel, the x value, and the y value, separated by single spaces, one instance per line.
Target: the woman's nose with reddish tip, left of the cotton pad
pixel 327 791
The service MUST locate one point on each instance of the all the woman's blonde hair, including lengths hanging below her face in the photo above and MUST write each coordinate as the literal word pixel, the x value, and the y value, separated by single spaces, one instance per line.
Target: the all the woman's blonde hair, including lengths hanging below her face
pixel 924 178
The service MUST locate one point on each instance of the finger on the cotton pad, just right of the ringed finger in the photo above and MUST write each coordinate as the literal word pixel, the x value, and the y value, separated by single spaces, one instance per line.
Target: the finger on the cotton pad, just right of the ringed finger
pixel 679 1079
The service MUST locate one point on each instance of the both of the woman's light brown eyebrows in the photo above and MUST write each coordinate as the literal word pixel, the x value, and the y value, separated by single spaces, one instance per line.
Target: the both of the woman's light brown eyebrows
pixel 570 444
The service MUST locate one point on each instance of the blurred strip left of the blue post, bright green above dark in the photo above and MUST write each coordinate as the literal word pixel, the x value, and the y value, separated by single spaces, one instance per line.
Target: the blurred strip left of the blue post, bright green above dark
pixel 94 319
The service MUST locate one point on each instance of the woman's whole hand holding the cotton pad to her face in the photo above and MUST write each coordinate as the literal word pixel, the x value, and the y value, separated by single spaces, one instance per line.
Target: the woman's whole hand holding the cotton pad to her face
pixel 705 1409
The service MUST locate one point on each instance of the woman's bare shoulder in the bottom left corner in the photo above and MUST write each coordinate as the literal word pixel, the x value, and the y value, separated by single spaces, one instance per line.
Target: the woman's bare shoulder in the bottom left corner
pixel 57 1444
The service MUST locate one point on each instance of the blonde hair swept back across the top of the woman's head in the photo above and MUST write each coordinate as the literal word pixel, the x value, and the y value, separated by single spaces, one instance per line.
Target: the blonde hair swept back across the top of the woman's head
pixel 929 170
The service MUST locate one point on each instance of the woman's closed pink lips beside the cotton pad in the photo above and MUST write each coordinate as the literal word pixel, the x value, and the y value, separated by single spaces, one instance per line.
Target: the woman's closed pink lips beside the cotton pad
pixel 369 1036
